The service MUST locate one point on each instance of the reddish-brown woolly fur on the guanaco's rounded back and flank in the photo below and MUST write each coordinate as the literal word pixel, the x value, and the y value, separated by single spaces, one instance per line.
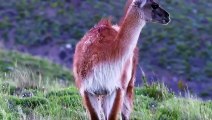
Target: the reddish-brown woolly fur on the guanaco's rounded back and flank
pixel 98 39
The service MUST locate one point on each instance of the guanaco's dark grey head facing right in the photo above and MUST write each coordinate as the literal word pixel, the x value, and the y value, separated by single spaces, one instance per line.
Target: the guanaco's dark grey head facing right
pixel 150 11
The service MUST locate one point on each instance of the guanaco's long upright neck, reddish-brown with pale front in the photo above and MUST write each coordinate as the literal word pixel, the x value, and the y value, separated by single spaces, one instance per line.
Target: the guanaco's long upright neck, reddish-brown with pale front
pixel 130 30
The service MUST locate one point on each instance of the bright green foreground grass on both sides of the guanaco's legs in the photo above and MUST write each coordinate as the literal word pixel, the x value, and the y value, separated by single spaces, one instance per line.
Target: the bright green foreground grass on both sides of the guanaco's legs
pixel 65 103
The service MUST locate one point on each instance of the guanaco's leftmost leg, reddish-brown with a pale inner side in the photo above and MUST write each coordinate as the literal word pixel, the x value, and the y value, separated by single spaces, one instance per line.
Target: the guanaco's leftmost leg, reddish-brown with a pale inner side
pixel 93 106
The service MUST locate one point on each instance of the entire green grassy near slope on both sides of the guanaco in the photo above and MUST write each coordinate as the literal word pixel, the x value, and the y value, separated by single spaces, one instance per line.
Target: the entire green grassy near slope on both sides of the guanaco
pixel 26 94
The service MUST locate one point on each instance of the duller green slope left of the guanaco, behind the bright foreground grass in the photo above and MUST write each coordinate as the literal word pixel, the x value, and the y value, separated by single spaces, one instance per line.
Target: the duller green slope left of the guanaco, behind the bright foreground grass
pixel 24 66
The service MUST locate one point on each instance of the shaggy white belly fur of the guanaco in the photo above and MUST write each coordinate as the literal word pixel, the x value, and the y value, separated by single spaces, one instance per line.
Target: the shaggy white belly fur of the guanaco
pixel 106 76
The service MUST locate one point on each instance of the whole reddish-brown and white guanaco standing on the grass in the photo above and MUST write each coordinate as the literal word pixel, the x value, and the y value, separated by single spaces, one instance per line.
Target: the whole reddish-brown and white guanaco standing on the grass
pixel 105 61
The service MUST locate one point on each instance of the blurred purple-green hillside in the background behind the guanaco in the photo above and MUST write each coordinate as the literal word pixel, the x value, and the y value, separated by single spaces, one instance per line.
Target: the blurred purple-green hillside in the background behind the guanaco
pixel 179 54
